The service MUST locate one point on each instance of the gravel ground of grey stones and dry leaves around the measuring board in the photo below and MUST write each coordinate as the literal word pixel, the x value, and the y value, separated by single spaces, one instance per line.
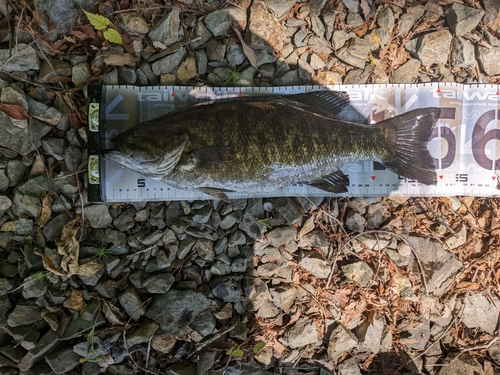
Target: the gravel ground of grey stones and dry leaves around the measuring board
pixel 258 286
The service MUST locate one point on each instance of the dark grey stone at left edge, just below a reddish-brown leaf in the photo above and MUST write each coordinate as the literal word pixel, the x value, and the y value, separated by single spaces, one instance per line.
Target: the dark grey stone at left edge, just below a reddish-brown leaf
pixel 14 138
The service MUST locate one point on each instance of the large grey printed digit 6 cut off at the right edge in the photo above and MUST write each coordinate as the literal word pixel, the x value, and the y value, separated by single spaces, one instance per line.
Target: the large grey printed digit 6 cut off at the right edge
pixel 480 138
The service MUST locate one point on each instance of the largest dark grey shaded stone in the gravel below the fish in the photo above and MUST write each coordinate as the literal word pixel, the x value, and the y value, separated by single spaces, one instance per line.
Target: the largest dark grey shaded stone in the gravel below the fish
pixel 176 309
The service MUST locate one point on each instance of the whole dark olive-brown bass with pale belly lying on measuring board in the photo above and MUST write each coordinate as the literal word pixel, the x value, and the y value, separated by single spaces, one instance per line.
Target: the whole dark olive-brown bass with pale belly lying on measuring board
pixel 257 145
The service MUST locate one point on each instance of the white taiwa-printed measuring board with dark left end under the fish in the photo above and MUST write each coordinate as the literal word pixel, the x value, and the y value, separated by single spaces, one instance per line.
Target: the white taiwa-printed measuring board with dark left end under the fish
pixel 463 144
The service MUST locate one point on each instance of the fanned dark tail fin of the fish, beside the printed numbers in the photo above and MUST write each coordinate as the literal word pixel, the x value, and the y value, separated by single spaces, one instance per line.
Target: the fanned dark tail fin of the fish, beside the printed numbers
pixel 407 136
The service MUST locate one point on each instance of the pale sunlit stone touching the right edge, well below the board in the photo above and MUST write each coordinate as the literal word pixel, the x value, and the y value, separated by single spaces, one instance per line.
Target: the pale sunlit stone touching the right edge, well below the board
pixel 480 312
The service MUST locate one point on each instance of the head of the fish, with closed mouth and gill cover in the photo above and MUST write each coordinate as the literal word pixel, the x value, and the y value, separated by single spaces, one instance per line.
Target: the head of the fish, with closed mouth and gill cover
pixel 148 150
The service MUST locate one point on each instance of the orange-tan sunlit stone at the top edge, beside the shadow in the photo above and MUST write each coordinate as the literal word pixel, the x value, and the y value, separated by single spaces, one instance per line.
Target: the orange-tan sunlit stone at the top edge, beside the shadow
pixel 265 29
